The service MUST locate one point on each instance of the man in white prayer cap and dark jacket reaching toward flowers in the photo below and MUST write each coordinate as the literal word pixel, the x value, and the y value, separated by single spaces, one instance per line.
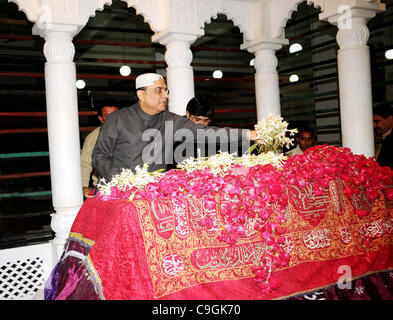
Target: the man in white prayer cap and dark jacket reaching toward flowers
pixel 145 132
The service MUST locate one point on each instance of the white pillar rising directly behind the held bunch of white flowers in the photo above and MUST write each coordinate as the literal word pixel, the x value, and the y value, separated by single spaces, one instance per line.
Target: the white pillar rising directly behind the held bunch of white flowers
pixel 267 86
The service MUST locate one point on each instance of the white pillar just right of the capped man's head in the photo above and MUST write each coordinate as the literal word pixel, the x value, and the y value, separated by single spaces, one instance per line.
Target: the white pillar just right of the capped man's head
pixel 180 75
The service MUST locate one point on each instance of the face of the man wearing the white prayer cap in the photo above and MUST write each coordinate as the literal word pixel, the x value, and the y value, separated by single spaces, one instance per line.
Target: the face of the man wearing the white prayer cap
pixel 154 99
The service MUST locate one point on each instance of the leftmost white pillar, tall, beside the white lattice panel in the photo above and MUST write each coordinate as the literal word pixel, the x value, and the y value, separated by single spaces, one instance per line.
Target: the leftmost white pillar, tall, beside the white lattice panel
pixel 63 131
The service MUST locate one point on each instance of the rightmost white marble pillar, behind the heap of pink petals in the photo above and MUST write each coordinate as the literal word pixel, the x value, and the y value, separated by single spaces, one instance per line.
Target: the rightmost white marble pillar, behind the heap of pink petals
pixel 354 74
